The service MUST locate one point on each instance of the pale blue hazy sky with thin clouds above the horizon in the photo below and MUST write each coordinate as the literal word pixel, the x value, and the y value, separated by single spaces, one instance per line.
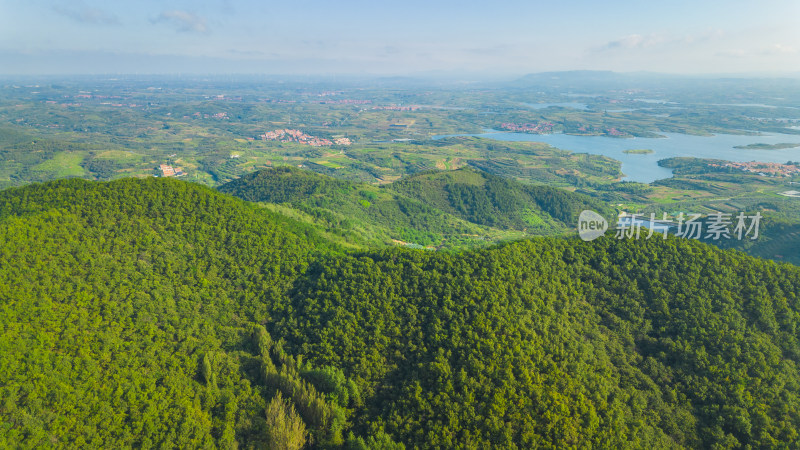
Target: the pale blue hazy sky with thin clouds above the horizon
pixel 326 37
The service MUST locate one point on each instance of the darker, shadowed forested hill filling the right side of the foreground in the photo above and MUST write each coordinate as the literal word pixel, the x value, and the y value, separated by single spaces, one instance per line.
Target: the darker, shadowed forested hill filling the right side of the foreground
pixel 542 343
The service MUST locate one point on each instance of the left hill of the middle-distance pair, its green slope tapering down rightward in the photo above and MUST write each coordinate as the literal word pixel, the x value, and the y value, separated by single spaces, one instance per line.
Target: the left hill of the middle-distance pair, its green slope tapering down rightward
pixel 360 213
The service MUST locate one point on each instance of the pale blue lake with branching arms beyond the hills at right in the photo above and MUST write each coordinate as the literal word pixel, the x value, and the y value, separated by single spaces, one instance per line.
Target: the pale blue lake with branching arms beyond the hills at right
pixel 645 168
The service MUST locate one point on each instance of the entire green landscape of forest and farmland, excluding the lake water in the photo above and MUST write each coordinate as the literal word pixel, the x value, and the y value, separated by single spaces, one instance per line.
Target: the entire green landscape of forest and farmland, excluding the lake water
pixel 156 313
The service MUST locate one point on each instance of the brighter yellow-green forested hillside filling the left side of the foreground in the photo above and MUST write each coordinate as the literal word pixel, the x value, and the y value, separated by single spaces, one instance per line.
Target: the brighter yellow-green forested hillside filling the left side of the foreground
pixel 126 311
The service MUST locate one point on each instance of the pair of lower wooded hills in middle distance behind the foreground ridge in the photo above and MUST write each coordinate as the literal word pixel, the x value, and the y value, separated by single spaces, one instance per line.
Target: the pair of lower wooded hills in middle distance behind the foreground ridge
pixel 431 208
